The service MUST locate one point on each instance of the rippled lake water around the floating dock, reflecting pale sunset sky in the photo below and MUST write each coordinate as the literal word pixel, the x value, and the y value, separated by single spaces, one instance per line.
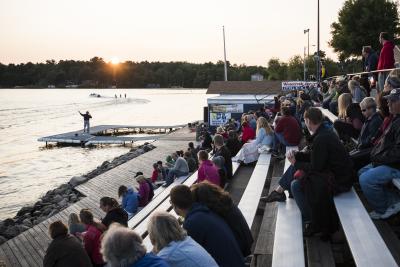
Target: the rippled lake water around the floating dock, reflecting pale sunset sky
pixel 28 170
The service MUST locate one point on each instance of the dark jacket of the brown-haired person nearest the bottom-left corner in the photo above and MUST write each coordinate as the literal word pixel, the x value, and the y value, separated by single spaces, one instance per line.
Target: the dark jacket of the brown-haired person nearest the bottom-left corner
pixel 66 251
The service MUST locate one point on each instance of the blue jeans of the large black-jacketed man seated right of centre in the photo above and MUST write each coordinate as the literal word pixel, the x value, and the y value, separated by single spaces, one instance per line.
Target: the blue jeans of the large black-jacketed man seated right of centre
pixel 287 182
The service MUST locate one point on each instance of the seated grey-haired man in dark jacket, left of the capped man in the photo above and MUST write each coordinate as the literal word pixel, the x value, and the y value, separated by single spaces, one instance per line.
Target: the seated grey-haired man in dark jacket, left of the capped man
pixel 369 131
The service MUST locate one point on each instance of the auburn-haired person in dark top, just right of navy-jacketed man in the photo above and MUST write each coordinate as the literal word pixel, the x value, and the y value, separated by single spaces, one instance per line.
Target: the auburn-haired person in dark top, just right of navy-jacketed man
pixel 219 201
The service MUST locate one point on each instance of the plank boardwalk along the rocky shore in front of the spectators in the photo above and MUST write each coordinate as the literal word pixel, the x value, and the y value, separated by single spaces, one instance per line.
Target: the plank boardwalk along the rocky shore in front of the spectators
pixel 28 248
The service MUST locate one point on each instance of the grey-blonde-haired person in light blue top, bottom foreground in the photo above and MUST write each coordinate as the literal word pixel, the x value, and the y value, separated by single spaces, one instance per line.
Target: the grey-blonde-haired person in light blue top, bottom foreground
pixel 171 243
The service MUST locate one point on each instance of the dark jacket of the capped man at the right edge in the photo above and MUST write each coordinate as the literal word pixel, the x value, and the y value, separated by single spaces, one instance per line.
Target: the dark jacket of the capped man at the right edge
pixel 387 151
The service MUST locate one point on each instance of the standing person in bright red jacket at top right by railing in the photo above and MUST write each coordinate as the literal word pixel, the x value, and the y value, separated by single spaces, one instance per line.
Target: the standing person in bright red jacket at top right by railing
pixel 386 58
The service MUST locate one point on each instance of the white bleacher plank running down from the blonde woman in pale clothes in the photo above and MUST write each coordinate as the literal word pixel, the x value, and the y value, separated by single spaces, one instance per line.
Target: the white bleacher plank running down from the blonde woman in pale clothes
pixel 249 202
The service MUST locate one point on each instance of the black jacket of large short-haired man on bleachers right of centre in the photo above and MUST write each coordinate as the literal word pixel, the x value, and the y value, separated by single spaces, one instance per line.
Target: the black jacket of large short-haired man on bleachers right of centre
pixel 327 154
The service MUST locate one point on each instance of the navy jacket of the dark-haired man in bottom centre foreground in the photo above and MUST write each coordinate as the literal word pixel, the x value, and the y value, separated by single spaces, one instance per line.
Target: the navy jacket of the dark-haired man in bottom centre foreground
pixel 214 235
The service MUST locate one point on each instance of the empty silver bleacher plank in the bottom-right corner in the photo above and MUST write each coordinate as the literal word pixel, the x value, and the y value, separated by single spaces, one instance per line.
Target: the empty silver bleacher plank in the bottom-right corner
pixel 366 245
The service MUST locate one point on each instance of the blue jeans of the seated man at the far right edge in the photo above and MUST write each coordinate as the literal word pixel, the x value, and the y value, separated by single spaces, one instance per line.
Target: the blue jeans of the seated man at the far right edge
pixel 373 181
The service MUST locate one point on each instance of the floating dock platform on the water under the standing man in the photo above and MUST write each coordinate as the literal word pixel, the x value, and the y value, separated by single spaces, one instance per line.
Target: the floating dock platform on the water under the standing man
pixel 104 134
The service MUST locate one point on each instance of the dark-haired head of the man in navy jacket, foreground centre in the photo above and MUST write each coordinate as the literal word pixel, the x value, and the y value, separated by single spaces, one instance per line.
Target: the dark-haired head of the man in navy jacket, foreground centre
pixel 181 199
